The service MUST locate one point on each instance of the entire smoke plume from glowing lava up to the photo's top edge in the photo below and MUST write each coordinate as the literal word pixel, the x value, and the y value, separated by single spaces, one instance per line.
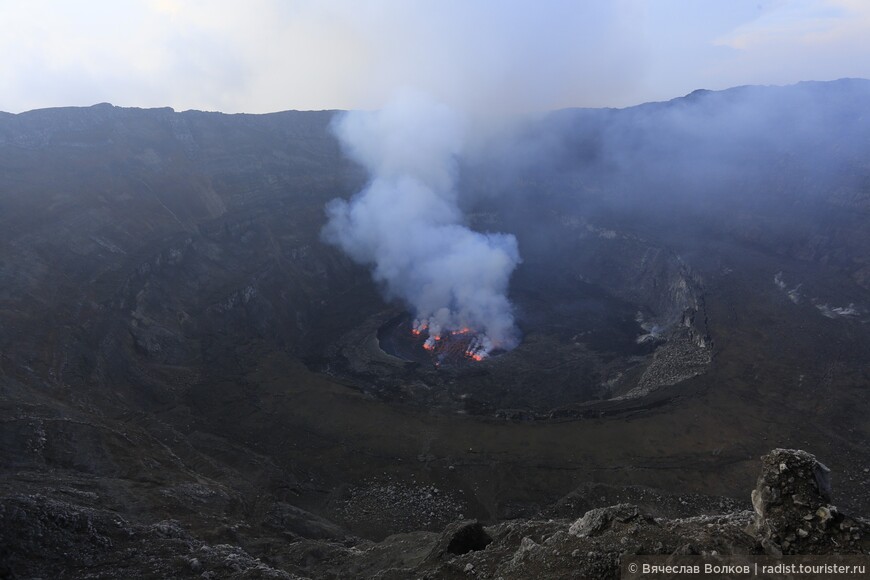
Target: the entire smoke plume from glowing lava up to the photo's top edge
pixel 491 61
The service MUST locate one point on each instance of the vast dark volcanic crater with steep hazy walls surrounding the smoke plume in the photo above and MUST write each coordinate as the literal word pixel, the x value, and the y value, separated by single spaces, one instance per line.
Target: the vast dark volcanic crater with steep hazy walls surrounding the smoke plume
pixel 177 343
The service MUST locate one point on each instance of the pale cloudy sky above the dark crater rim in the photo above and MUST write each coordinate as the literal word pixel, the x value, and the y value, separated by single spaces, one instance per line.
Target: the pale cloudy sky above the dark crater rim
pixel 261 56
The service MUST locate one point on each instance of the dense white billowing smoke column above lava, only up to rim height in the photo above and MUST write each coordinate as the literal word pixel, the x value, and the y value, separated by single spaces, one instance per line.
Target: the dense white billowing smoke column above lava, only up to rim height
pixel 406 223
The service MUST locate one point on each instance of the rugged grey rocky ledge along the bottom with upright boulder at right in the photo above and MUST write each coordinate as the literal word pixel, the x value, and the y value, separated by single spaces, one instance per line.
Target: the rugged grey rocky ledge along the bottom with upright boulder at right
pixel 44 537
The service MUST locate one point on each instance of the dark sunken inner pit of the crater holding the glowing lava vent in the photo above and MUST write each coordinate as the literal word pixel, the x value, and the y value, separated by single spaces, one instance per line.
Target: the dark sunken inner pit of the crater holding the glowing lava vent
pixel 589 340
